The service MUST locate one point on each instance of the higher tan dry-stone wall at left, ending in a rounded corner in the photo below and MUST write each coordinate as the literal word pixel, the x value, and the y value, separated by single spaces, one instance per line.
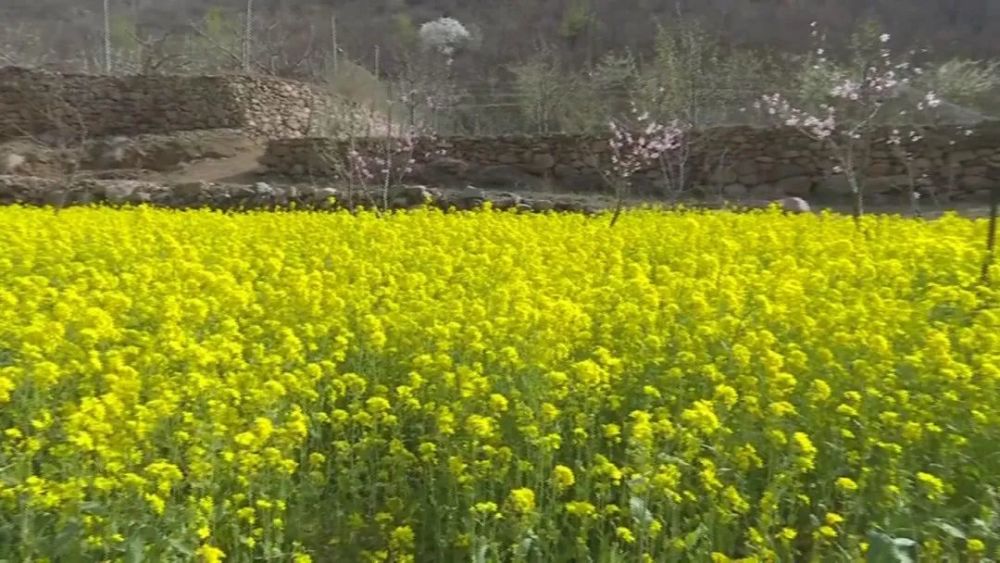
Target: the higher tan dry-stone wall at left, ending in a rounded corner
pixel 75 106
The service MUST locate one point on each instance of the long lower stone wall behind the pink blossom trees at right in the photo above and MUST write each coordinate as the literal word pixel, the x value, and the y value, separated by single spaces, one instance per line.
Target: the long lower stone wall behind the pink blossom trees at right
pixel 734 162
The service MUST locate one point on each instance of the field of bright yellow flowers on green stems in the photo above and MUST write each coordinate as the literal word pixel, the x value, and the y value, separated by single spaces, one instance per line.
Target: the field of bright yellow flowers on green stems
pixel 492 386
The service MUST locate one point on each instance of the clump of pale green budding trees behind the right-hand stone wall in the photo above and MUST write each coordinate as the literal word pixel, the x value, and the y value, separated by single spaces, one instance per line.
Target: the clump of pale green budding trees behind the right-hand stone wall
pixel 691 77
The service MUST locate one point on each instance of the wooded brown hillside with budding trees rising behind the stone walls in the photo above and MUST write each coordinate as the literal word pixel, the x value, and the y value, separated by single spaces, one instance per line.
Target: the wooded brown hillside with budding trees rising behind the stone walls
pixel 528 65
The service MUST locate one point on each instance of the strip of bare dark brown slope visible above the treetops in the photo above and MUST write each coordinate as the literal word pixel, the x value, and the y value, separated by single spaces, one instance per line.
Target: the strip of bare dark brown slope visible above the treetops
pixel 509 30
